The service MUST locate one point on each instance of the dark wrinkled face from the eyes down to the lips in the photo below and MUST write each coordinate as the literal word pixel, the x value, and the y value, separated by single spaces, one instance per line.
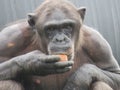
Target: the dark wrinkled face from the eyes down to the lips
pixel 60 39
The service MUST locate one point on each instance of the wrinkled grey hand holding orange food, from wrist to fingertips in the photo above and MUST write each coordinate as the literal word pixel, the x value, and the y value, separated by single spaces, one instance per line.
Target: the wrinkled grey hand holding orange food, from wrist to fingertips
pixel 37 63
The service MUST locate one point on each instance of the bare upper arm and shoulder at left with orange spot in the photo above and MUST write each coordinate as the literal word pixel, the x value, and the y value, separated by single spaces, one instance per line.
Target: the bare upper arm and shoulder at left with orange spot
pixel 14 39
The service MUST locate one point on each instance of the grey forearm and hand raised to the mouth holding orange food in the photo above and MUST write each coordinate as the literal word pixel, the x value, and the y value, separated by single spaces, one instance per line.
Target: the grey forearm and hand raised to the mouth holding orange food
pixel 33 63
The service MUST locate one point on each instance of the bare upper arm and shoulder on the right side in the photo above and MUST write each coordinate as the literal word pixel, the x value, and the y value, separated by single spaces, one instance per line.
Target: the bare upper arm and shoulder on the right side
pixel 100 51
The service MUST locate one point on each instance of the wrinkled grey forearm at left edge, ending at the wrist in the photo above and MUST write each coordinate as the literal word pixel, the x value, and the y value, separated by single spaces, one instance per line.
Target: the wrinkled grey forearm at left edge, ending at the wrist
pixel 9 69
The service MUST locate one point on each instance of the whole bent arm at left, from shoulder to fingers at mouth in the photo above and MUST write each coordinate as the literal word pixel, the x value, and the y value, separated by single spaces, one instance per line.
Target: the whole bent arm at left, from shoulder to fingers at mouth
pixel 32 63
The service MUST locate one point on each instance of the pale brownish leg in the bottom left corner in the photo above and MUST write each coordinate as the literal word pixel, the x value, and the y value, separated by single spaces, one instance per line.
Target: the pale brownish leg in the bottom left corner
pixel 10 85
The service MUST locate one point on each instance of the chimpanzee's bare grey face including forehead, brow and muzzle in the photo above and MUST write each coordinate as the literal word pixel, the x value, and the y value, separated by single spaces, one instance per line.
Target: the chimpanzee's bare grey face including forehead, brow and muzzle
pixel 59 30
